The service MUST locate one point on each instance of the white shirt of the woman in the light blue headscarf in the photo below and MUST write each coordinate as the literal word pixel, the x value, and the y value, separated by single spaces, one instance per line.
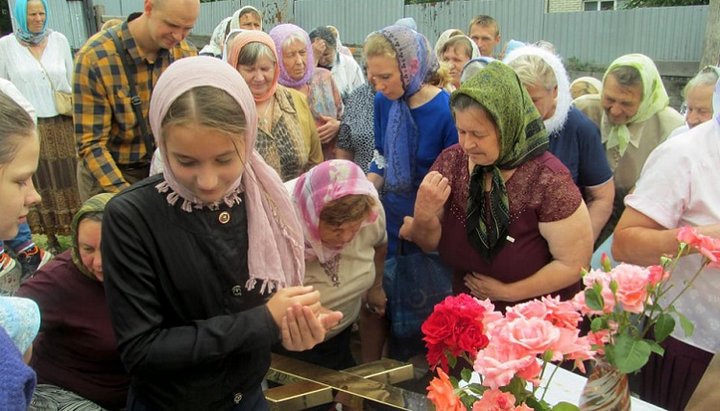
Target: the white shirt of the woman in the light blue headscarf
pixel 18 65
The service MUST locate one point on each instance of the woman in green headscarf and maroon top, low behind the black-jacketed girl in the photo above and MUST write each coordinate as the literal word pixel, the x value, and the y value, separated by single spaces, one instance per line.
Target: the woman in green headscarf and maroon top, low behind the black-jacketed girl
pixel 75 354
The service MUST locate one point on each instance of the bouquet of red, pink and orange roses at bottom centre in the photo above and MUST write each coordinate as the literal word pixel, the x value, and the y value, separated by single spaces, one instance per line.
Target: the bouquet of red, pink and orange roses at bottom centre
pixel 508 353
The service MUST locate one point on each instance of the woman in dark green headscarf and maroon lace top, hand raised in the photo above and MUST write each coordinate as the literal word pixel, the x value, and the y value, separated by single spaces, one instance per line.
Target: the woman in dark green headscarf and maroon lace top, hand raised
pixel 500 209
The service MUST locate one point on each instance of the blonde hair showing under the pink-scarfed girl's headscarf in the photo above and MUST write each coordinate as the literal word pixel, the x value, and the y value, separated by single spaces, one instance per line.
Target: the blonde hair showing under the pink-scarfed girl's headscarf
pixel 209 107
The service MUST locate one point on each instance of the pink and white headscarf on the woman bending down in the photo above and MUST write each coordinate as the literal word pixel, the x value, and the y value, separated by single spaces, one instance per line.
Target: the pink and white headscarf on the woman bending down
pixel 324 183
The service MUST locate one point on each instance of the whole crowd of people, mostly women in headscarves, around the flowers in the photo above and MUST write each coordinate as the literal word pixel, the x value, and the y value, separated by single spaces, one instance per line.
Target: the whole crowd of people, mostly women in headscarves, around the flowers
pixel 244 199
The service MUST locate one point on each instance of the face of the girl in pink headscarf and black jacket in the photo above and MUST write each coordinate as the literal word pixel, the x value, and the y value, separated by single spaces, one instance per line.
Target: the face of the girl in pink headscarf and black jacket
pixel 206 161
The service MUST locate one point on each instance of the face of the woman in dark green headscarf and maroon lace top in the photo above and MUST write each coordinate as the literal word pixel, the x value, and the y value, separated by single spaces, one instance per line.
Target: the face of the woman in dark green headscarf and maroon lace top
pixel 478 136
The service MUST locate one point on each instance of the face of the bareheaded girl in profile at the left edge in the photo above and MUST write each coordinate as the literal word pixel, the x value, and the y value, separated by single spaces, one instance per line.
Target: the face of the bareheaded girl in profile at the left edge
pixel 17 192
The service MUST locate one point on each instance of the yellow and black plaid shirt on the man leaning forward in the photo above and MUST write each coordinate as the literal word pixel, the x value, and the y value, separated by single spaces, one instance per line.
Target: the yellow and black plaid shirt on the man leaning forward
pixel 107 131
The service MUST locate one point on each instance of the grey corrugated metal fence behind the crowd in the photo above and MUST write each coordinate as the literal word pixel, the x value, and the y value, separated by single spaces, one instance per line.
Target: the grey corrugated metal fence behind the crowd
pixel 664 34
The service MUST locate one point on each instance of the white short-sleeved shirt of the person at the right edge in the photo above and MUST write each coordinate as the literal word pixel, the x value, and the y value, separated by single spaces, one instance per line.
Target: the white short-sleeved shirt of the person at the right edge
pixel 680 186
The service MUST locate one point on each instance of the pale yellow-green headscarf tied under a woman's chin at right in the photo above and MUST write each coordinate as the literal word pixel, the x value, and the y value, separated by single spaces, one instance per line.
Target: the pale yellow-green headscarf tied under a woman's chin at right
pixel 654 99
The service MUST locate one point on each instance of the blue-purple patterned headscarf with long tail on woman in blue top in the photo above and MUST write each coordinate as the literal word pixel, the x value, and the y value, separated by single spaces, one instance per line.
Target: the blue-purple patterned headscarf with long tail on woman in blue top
pixel 416 60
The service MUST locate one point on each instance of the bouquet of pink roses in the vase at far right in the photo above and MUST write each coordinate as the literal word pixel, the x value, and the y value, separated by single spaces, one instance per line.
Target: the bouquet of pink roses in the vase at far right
pixel 626 302
